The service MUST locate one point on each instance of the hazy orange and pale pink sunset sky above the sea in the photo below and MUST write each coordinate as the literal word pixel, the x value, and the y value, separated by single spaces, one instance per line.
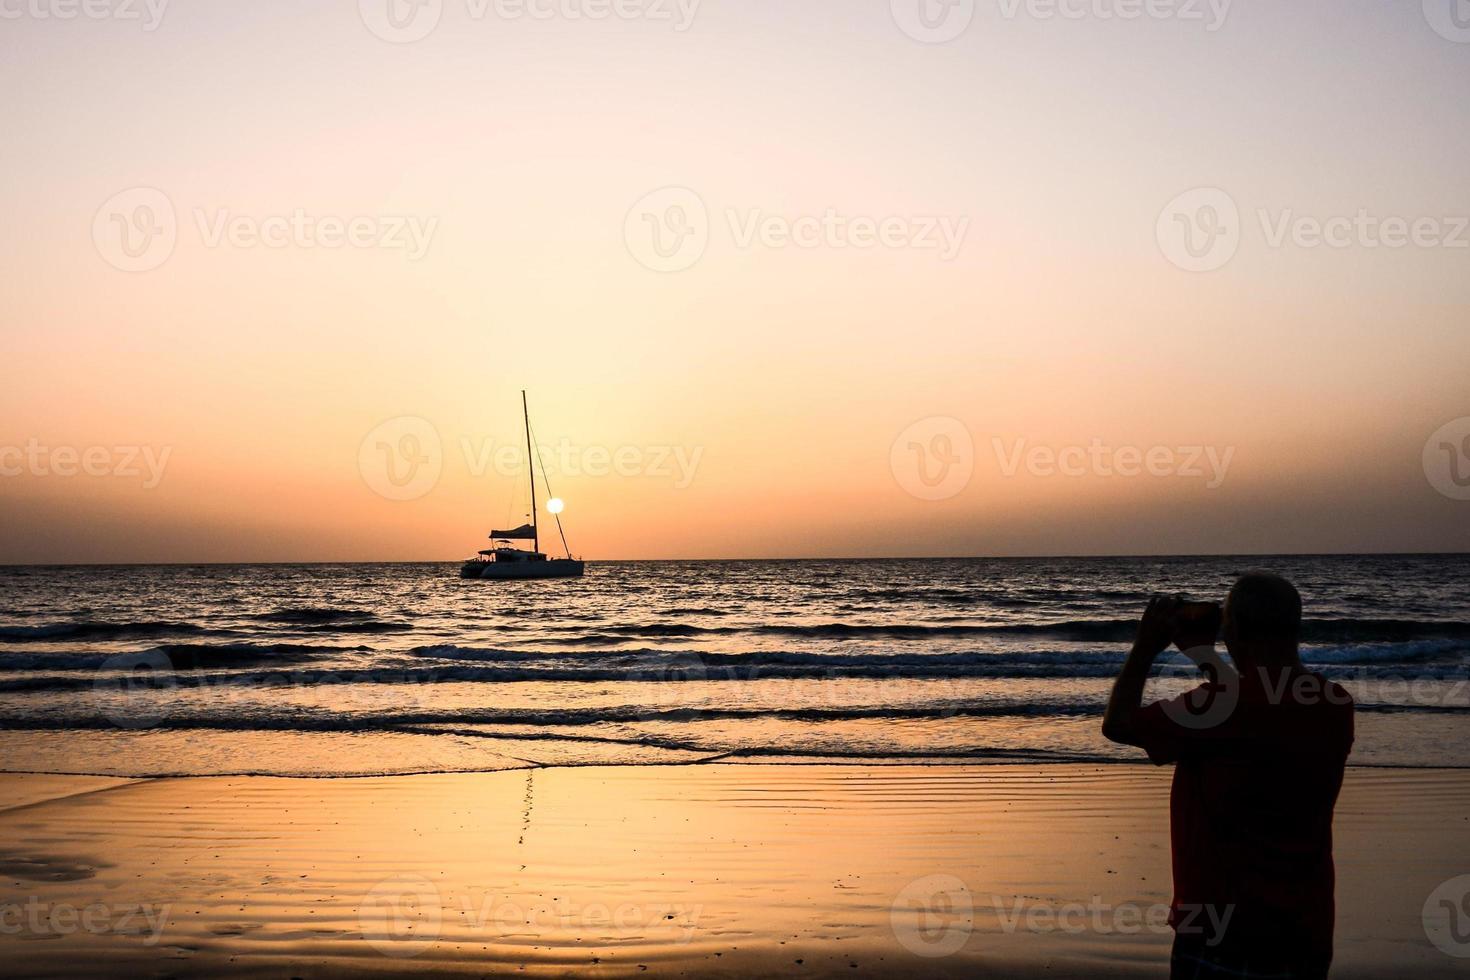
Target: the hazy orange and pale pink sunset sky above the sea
pixel 781 280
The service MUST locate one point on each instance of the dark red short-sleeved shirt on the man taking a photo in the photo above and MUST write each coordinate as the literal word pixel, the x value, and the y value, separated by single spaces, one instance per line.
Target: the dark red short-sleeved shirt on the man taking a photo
pixel 1259 766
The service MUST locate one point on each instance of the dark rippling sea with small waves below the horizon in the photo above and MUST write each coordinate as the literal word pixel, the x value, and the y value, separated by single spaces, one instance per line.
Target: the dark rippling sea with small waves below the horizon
pixel 339 671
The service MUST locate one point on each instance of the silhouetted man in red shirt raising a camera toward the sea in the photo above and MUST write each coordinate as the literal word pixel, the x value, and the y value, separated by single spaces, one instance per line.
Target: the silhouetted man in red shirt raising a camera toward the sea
pixel 1259 754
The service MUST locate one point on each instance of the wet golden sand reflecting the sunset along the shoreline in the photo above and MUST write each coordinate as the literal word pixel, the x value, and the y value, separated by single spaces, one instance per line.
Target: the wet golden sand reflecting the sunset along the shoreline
pixel 695 871
